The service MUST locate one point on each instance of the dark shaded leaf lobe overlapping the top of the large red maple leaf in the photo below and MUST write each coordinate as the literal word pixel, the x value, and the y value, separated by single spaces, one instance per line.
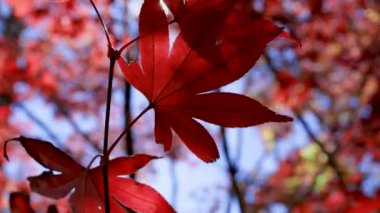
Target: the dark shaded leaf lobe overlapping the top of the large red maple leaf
pixel 195 17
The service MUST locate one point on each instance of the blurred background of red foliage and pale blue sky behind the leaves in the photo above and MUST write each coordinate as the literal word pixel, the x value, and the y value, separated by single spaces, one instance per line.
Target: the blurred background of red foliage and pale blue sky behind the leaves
pixel 53 78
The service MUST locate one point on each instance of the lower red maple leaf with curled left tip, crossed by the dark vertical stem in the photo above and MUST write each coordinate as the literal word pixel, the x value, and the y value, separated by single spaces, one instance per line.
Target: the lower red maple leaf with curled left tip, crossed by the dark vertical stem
pixel 88 183
